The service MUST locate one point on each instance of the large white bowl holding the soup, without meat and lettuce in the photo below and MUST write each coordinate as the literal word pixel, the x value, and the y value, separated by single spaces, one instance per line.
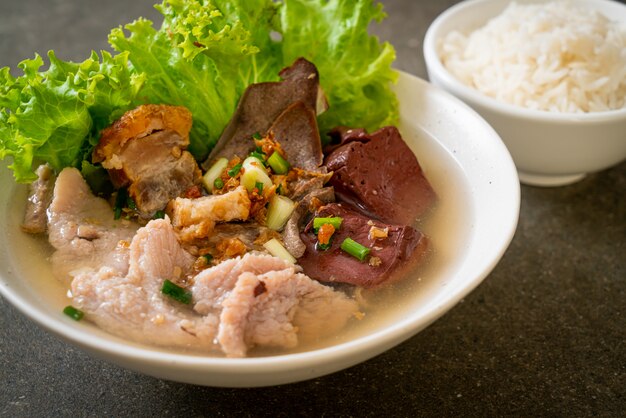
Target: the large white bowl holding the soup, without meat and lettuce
pixel 477 214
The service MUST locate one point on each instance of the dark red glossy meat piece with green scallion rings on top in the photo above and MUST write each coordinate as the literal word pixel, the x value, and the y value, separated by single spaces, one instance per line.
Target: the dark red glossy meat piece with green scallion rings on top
pixel 403 248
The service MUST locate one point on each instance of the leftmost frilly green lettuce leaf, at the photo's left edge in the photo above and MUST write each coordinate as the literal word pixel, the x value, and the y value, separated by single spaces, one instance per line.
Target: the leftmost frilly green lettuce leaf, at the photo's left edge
pixel 54 115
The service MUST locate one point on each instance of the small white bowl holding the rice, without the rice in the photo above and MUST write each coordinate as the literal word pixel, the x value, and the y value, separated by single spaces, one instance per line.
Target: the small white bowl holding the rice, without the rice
pixel 549 149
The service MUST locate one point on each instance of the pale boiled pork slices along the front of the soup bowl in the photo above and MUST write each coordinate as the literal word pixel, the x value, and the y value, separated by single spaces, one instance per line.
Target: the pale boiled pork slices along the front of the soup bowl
pixel 256 300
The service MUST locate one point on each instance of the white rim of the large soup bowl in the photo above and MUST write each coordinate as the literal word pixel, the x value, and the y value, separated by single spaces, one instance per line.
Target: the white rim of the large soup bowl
pixel 347 353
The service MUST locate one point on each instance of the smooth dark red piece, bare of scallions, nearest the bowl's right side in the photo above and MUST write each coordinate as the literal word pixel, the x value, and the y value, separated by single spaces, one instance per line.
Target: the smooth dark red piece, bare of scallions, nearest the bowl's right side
pixel 379 174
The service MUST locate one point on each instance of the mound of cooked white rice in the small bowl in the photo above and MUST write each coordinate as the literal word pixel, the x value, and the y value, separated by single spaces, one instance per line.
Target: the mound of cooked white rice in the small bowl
pixel 553 56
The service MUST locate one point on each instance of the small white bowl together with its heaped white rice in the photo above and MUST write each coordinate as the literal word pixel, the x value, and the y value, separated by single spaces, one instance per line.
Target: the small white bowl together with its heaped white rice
pixel 549 76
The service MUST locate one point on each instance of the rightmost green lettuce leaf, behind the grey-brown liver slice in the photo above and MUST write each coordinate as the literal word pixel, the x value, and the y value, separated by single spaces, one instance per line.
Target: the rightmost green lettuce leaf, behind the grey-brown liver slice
pixel 355 68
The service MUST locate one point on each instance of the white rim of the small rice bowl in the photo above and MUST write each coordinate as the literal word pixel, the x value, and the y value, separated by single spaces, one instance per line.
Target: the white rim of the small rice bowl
pixel 436 67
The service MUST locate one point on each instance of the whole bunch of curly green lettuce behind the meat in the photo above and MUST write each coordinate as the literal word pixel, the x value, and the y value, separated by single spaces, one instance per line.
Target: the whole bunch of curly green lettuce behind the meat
pixel 203 56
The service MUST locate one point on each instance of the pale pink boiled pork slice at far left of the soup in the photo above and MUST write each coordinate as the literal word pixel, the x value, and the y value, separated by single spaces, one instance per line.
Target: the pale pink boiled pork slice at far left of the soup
pixel 82 230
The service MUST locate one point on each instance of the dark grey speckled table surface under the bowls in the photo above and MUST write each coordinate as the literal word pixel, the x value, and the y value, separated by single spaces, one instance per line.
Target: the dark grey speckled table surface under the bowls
pixel 543 335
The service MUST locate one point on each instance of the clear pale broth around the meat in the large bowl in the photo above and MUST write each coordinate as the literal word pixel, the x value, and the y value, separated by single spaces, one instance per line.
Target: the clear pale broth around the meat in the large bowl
pixel 446 225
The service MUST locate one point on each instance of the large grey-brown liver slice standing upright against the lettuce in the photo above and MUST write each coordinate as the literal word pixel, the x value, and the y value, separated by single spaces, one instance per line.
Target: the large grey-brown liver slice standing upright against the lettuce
pixel 262 103
